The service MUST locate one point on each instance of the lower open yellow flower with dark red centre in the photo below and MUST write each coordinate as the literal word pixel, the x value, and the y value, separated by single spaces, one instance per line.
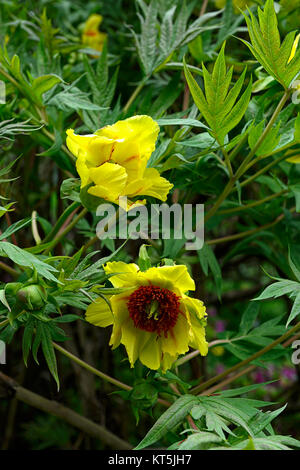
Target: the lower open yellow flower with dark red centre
pixel 153 318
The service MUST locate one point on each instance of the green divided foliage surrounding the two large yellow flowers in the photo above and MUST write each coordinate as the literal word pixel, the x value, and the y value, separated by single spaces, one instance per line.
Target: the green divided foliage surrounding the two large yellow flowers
pixel 220 85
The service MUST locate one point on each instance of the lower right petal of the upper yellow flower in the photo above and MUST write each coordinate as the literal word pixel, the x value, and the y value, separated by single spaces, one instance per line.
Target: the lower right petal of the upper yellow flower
pixel 152 184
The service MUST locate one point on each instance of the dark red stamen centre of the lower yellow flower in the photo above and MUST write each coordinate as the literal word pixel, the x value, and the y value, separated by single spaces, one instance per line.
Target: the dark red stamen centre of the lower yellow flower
pixel 154 308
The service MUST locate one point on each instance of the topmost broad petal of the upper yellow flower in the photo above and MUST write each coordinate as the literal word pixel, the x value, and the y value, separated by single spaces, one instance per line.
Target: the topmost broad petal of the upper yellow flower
pixel 139 130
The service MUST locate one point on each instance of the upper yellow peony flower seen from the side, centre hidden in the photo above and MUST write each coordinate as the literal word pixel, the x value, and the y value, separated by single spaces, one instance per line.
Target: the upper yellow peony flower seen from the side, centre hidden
pixel 114 160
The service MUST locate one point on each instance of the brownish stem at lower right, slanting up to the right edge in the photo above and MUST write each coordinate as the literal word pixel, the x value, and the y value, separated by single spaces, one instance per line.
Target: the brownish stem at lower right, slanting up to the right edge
pixel 200 388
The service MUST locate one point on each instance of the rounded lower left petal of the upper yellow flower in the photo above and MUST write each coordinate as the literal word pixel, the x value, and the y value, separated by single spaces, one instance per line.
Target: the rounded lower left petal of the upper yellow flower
pixel 110 180
